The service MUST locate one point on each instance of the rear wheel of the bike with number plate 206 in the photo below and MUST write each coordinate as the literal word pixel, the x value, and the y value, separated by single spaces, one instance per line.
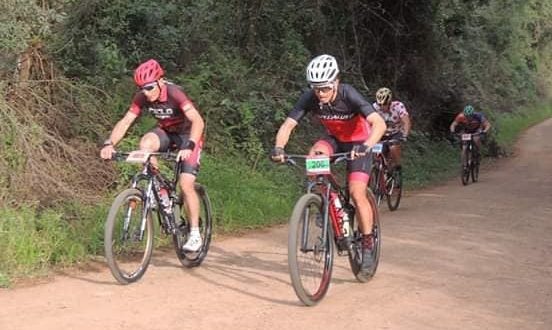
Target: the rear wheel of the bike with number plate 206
pixel 355 252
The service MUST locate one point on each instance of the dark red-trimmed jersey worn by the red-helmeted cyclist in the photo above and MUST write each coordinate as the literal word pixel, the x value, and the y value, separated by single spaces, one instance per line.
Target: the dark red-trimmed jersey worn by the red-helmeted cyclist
pixel 168 109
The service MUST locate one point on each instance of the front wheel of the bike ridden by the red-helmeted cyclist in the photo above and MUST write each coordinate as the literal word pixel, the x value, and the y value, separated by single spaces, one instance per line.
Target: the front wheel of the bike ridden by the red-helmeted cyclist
pixel 128 262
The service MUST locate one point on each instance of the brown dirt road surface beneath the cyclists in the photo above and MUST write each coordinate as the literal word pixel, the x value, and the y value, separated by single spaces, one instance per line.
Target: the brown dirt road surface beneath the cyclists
pixel 453 257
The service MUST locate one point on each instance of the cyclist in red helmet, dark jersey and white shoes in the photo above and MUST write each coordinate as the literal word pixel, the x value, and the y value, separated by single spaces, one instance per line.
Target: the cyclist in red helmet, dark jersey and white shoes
pixel 180 126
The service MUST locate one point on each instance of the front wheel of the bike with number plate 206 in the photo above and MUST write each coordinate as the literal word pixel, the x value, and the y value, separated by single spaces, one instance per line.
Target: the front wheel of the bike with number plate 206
pixel 308 225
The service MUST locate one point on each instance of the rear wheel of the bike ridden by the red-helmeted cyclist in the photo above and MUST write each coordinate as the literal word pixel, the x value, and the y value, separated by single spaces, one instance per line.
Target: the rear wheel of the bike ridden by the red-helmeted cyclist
pixel 187 258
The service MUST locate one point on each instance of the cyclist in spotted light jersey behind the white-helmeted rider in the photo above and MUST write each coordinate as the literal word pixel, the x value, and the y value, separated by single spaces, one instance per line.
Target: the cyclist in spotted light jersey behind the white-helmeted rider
pixel 398 122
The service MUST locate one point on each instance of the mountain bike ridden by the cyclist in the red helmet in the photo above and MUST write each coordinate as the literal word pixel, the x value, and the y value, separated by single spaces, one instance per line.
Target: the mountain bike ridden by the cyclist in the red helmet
pixel 129 228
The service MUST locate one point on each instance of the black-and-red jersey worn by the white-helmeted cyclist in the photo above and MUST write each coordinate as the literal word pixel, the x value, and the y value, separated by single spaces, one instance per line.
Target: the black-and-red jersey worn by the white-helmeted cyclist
pixel 344 118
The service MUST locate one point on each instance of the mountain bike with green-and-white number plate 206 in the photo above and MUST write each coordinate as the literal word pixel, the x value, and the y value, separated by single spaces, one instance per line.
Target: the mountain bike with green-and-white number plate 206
pixel 323 219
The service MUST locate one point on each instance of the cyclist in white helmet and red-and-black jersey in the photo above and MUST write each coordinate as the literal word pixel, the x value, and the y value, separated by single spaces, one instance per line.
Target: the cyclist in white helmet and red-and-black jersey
pixel 351 124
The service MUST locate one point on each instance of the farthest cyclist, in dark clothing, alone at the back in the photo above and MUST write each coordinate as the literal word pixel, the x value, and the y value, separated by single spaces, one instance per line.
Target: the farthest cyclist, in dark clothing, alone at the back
pixel 470 121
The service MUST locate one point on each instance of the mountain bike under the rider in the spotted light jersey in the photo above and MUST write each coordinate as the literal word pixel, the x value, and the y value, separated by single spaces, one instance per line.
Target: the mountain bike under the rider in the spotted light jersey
pixel 383 182
